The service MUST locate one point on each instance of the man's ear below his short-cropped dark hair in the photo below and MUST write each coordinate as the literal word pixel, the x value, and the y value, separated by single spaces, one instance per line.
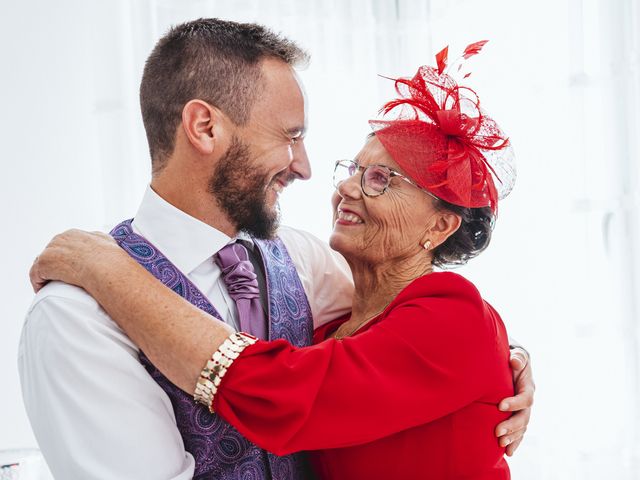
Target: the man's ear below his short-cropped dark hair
pixel 202 125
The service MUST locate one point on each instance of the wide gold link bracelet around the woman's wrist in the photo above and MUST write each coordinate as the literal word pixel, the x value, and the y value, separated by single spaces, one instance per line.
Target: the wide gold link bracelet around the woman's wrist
pixel 216 368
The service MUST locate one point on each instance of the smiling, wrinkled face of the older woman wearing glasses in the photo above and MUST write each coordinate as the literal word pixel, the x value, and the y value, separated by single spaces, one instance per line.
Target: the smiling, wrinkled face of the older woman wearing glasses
pixel 390 226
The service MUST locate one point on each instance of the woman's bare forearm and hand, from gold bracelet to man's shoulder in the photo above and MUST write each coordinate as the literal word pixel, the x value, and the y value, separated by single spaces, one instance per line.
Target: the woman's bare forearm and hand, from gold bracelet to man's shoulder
pixel 177 337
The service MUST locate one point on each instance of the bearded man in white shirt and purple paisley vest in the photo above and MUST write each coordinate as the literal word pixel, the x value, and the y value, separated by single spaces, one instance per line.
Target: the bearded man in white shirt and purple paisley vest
pixel 224 114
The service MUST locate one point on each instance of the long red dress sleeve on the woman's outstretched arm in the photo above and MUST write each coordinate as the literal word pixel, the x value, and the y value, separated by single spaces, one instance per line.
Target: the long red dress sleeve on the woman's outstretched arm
pixel 427 358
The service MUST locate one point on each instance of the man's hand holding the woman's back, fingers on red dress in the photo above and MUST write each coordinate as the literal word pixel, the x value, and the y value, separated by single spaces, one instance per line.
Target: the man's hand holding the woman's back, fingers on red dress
pixel 511 431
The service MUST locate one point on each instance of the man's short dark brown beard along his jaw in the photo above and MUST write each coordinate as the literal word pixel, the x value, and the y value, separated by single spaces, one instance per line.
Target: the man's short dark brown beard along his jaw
pixel 239 188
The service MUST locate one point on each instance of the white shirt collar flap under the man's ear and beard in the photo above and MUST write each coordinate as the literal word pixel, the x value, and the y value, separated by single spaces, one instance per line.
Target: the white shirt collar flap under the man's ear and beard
pixel 183 239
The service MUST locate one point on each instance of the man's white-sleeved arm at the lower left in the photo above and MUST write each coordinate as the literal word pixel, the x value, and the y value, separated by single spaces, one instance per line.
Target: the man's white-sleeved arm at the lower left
pixel 94 409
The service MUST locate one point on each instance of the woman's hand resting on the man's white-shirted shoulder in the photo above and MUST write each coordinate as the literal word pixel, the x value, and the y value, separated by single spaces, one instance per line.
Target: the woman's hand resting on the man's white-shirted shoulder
pixel 73 257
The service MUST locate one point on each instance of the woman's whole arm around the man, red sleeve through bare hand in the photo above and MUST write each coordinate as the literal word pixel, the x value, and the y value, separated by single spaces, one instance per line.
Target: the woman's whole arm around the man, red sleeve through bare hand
pixel 400 373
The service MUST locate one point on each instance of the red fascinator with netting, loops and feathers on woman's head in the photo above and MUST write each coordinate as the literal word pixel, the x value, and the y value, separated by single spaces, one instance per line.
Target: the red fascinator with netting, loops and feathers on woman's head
pixel 439 135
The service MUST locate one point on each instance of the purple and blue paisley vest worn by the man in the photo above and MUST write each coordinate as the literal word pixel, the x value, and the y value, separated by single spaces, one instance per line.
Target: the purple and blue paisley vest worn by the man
pixel 220 452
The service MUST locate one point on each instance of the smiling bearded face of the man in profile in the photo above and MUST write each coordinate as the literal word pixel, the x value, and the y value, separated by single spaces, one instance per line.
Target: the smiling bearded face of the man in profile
pixel 265 155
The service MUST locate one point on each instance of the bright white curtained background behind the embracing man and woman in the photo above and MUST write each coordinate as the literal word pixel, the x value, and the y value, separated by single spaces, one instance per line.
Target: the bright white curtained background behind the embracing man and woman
pixel 561 77
